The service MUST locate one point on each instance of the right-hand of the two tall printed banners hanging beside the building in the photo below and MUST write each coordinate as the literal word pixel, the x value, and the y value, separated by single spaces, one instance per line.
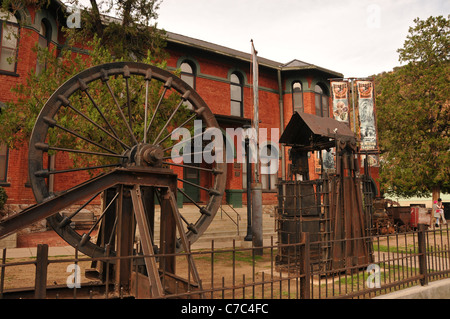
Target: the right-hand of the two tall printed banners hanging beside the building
pixel 368 132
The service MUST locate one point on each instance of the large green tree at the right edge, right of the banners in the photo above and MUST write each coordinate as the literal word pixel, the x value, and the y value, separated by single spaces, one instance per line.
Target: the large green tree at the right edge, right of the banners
pixel 413 110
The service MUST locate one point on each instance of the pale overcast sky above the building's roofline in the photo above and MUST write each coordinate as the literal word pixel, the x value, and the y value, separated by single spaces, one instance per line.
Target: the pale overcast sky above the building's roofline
pixel 355 37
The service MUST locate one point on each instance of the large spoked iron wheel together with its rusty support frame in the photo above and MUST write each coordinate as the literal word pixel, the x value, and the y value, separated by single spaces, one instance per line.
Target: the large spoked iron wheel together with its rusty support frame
pixel 113 123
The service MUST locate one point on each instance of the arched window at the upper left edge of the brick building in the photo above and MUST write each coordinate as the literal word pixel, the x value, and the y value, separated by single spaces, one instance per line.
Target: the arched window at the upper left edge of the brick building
pixel 9 41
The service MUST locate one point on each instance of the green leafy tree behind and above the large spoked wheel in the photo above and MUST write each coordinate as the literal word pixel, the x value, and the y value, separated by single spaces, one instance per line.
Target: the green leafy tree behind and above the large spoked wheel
pixel 61 64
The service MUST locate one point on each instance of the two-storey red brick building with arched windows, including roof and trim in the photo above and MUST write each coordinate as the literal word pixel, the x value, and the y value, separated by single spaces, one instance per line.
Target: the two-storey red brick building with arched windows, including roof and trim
pixel 222 76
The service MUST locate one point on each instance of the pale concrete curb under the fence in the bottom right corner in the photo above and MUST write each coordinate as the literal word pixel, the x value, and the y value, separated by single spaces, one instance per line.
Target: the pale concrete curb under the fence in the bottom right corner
pixel 434 290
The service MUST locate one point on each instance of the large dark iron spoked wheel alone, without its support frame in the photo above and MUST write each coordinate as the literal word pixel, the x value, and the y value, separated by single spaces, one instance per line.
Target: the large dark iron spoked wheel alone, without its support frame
pixel 117 116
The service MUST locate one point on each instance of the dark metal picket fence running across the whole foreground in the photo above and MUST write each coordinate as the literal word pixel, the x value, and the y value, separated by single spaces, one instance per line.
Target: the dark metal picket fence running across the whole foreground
pixel 277 271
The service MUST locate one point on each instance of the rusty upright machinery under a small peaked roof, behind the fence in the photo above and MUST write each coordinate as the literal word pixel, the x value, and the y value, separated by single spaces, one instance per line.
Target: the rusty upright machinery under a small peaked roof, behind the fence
pixel 333 209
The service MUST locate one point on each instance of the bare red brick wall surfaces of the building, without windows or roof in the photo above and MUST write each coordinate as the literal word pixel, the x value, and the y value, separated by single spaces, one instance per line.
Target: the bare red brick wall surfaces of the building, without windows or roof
pixel 211 83
